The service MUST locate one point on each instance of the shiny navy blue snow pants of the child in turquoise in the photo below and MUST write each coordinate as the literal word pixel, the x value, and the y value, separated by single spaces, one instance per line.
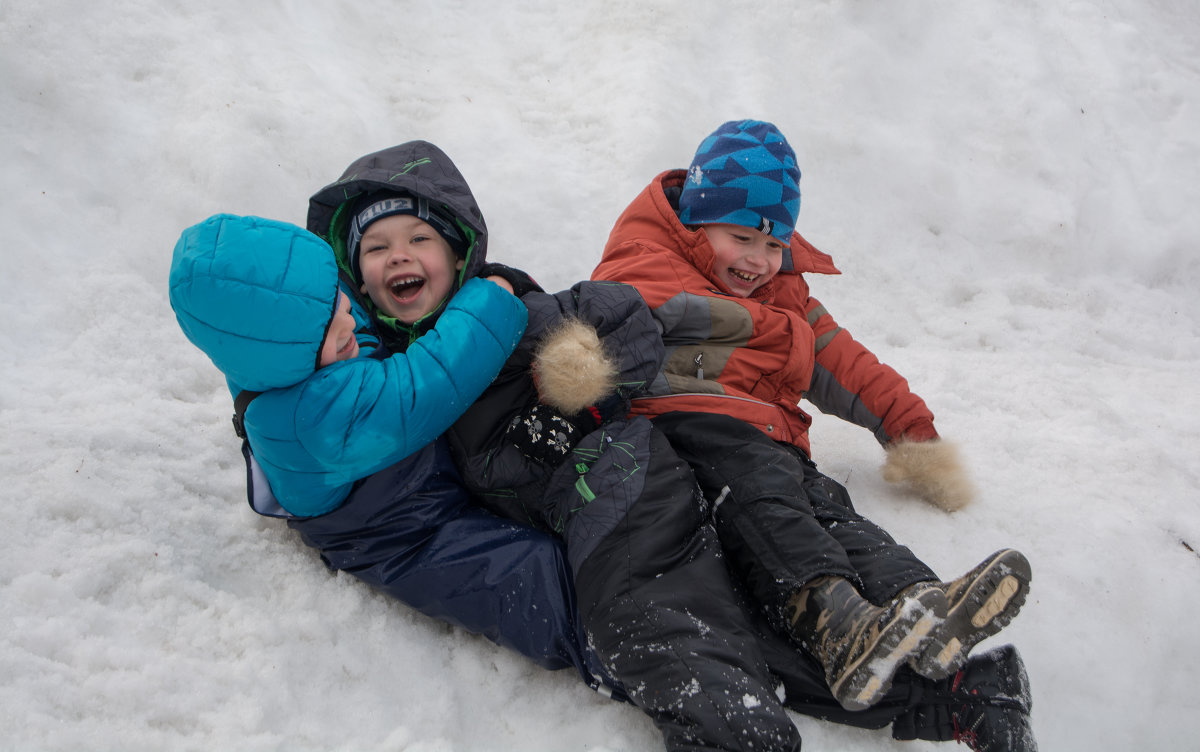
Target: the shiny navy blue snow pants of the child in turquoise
pixel 412 532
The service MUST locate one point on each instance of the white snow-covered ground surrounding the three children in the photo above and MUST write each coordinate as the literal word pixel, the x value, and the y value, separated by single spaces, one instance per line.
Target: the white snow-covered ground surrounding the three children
pixel 1010 189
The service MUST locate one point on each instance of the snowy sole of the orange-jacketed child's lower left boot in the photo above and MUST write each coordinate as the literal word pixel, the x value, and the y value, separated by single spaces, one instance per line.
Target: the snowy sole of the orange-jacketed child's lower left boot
pixel 868 679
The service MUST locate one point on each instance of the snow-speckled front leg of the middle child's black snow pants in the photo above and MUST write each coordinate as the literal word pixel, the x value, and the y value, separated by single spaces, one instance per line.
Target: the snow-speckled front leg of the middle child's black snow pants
pixel 656 597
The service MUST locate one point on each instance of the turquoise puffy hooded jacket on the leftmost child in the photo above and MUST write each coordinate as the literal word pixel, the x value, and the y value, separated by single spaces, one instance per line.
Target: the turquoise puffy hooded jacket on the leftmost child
pixel 257 296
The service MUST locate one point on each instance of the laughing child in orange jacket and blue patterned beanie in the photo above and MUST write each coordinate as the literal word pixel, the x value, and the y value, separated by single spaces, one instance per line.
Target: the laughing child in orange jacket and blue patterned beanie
pixel 715 254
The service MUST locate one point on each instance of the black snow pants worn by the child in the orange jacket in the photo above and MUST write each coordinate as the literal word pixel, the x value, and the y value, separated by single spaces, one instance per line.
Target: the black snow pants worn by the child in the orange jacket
pixel 782 522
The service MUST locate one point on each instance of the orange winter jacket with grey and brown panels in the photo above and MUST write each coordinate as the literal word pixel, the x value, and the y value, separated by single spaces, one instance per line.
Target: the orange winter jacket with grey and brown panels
pixel 751 358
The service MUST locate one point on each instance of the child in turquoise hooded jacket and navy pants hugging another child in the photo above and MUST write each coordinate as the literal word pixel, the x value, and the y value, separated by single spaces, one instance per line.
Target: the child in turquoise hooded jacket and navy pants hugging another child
pixel 347 438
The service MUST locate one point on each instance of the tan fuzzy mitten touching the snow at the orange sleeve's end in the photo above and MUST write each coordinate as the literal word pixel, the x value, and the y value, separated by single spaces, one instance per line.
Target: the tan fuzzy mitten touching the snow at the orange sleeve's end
pixel 932 471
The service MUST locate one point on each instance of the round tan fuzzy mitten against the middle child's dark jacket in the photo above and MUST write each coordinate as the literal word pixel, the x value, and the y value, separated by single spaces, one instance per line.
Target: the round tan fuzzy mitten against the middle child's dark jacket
pixel 572 369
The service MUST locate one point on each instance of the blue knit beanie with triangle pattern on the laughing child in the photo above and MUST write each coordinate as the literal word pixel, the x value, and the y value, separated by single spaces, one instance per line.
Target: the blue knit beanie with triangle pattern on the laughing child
pixel 745 173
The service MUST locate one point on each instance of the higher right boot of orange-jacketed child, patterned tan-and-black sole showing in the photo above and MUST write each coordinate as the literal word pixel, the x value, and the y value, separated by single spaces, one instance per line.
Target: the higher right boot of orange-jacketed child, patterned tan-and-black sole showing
pixel 979 605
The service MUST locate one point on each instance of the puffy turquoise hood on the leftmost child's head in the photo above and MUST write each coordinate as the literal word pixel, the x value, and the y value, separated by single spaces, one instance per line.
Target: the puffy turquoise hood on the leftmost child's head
pixel 256 296
